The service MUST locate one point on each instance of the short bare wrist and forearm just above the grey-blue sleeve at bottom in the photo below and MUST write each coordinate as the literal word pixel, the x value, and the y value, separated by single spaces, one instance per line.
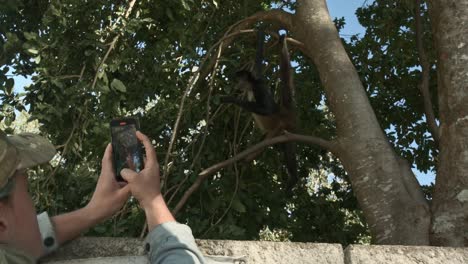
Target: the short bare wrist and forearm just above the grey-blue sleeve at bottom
pixel 157 212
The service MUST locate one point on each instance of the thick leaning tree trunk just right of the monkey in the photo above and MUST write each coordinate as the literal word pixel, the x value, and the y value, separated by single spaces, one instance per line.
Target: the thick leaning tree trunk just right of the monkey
pixel 386 188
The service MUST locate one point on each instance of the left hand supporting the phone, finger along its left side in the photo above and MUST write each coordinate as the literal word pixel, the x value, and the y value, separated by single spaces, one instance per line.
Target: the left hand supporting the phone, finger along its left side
pixel 109 195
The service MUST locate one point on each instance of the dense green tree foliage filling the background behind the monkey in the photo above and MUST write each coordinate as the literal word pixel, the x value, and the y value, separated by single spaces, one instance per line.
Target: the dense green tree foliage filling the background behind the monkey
pixel 90 62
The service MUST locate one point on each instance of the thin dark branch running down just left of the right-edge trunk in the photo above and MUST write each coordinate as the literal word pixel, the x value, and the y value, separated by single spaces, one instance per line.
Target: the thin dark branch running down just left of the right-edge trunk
pixel 425 66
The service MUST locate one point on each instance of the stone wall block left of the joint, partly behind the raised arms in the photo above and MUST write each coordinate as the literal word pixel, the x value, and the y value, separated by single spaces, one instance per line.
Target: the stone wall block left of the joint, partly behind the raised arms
pixel 238 251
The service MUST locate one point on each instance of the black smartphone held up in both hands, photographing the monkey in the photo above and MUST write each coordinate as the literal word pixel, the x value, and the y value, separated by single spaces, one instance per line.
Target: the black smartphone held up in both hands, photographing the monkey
pixel 126 148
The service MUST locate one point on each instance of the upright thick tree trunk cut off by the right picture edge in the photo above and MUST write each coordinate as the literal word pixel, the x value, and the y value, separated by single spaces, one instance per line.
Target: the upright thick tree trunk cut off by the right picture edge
pixel 449 20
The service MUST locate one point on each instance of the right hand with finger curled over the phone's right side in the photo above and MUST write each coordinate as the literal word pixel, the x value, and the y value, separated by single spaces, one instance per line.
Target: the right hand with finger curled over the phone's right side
pixel 145 186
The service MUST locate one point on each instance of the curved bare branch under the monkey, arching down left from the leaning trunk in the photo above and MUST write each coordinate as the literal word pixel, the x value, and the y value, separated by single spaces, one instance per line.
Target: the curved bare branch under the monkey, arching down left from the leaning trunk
pixel 286 137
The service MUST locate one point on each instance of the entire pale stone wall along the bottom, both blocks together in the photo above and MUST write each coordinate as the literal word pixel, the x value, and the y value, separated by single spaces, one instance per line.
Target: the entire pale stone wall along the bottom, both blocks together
pixel 89 250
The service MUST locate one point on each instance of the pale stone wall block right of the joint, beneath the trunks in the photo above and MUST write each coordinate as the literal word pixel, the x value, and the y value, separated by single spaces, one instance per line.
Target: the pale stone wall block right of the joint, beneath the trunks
pixel 359 254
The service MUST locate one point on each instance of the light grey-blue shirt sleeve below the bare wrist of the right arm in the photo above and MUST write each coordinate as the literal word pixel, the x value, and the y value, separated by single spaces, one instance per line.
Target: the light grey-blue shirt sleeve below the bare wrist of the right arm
pixel 172 242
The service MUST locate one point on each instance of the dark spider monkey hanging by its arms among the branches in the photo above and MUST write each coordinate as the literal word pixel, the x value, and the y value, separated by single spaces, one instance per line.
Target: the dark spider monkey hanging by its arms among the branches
pixel 271 117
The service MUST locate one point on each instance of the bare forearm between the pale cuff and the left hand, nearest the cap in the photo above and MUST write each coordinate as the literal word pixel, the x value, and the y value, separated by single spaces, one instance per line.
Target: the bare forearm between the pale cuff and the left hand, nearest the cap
pixel 70 225
